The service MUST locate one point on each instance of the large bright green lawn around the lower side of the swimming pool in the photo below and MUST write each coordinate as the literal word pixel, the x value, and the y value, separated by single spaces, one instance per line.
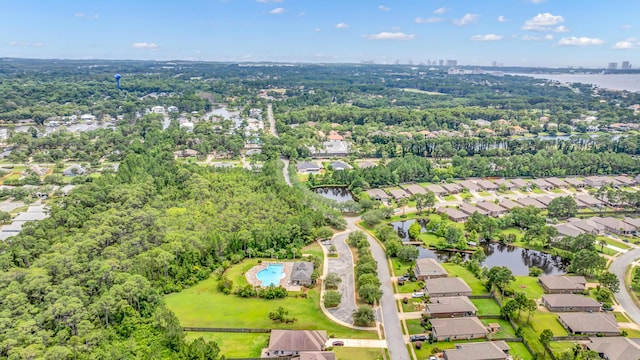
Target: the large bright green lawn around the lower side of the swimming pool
pixel 204 306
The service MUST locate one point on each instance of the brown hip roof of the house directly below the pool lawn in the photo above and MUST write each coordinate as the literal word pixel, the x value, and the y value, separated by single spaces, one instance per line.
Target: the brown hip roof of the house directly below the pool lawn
pixel 297 340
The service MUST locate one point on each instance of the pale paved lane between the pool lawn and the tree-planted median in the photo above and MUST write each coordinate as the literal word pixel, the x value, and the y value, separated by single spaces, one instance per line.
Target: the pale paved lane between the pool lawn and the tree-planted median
pixel 343 266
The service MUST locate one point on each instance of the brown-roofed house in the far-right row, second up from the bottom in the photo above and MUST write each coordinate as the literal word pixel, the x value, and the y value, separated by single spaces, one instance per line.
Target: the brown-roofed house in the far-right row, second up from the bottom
pixel 580 323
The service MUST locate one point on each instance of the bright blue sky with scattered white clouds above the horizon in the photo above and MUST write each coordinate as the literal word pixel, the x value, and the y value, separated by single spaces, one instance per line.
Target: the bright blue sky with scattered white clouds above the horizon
pixel 588 33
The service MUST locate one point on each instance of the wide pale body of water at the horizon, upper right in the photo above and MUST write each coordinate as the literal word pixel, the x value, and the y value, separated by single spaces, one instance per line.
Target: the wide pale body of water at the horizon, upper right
pixel 629 82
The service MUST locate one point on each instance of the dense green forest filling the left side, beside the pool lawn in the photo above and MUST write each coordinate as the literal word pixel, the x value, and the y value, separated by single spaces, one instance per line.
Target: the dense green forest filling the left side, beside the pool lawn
pixel 87 282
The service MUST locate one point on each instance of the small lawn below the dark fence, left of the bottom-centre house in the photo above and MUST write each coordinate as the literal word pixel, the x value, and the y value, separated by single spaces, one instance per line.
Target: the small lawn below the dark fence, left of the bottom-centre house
pixel 235 345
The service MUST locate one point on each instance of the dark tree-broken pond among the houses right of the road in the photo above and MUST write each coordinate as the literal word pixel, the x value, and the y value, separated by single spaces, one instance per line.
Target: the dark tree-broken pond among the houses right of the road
pixel 519 260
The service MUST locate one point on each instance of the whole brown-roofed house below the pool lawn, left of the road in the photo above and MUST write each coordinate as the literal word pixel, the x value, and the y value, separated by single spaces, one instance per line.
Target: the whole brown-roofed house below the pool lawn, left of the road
pixel 288 343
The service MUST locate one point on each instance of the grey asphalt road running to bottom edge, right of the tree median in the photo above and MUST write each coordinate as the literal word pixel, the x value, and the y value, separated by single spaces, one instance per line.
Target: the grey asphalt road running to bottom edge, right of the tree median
pixel 388 313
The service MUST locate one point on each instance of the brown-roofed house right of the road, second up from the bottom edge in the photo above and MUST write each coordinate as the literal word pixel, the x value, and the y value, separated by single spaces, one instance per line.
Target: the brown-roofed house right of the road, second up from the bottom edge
pixel 465 328
